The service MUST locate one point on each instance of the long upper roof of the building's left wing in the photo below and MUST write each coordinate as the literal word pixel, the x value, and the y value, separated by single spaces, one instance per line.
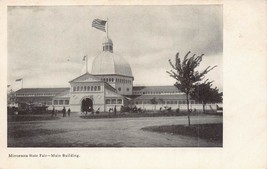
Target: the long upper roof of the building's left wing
pixel 42 90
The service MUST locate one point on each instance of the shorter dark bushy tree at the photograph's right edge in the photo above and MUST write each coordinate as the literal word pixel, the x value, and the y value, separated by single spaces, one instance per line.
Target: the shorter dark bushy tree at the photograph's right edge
pixel 204 93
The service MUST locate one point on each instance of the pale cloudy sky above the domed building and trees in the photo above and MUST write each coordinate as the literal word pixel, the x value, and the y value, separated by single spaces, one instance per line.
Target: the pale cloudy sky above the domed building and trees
pixel 46 44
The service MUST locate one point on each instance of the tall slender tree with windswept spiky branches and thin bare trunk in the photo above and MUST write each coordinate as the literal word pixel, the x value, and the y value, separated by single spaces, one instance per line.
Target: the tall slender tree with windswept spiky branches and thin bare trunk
pixel 186 76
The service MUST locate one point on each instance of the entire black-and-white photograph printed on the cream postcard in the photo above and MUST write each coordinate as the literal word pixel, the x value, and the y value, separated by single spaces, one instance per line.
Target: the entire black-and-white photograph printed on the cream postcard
pixel 115 76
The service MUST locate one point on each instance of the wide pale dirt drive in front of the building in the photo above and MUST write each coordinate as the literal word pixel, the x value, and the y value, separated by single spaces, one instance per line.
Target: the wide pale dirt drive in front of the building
pixel 119 132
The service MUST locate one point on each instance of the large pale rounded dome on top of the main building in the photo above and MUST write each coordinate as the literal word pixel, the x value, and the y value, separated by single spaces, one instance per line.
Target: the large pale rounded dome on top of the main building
pixel 110 63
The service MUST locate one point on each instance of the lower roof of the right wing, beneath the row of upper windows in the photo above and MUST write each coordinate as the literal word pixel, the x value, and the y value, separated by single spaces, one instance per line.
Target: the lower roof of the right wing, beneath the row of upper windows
pixel 164 97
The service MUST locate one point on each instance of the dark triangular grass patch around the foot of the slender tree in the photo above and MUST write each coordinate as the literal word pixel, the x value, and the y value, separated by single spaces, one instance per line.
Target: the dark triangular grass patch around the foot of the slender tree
pixel 211 132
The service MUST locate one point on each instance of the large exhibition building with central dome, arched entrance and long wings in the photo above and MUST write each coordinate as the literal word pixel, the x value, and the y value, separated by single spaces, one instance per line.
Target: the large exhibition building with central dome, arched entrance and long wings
pixel 109 84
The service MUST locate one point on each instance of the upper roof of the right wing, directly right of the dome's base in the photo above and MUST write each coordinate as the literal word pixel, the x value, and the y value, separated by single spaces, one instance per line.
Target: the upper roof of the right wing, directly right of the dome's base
pixel 155 88
